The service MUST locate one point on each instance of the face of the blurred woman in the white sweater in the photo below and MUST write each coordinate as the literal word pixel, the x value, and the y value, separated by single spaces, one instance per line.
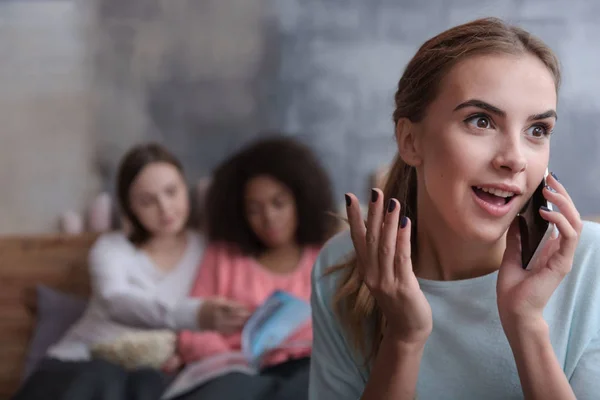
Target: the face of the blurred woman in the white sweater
pixel 159 199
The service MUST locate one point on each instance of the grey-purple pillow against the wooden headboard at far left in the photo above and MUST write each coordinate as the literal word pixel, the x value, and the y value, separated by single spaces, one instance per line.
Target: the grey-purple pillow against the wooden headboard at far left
pixel 56 312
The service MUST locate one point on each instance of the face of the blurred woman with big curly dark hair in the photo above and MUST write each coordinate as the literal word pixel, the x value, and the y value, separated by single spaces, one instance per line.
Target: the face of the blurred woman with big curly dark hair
pixel 270 209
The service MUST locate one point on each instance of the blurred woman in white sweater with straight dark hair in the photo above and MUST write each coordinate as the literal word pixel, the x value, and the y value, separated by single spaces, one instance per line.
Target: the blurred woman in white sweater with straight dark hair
pixel 140 280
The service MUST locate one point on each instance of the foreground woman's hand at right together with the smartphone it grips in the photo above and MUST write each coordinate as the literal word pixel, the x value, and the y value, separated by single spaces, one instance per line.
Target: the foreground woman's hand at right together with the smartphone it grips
pixel 535 261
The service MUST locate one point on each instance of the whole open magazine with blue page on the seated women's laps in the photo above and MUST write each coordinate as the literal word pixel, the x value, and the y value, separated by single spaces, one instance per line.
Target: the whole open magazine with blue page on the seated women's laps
pixel 267 329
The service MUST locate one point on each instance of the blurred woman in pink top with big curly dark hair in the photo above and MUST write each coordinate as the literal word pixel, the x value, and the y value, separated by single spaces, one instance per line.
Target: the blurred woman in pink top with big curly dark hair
pixel 268 218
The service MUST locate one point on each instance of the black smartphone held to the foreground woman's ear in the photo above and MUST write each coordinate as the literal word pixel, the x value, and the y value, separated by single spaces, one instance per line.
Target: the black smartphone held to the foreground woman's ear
pixel 534 229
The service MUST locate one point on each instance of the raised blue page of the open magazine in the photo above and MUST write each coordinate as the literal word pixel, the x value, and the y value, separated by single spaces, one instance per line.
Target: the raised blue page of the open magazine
pixel 271 324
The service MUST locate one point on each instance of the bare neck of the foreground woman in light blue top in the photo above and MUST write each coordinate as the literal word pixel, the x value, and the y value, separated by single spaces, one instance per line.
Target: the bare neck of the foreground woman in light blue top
pixel 444 255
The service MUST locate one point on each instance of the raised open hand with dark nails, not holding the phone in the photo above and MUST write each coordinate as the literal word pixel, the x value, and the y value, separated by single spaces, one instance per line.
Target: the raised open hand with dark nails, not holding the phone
pixel 383 252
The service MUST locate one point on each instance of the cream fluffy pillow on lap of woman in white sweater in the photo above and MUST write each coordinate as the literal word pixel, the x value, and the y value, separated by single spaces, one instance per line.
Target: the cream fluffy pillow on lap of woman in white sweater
pixel 139 349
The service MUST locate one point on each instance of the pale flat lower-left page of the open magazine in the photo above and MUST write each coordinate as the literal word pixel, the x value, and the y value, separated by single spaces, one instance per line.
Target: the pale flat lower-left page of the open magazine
pixel 200 372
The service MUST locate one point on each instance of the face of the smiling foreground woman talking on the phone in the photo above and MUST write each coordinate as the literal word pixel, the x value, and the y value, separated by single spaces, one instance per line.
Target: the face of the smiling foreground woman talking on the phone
pixel 483 146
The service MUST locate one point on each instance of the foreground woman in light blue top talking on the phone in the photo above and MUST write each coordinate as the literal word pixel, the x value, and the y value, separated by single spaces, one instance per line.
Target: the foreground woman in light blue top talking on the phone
pixel 428 298
